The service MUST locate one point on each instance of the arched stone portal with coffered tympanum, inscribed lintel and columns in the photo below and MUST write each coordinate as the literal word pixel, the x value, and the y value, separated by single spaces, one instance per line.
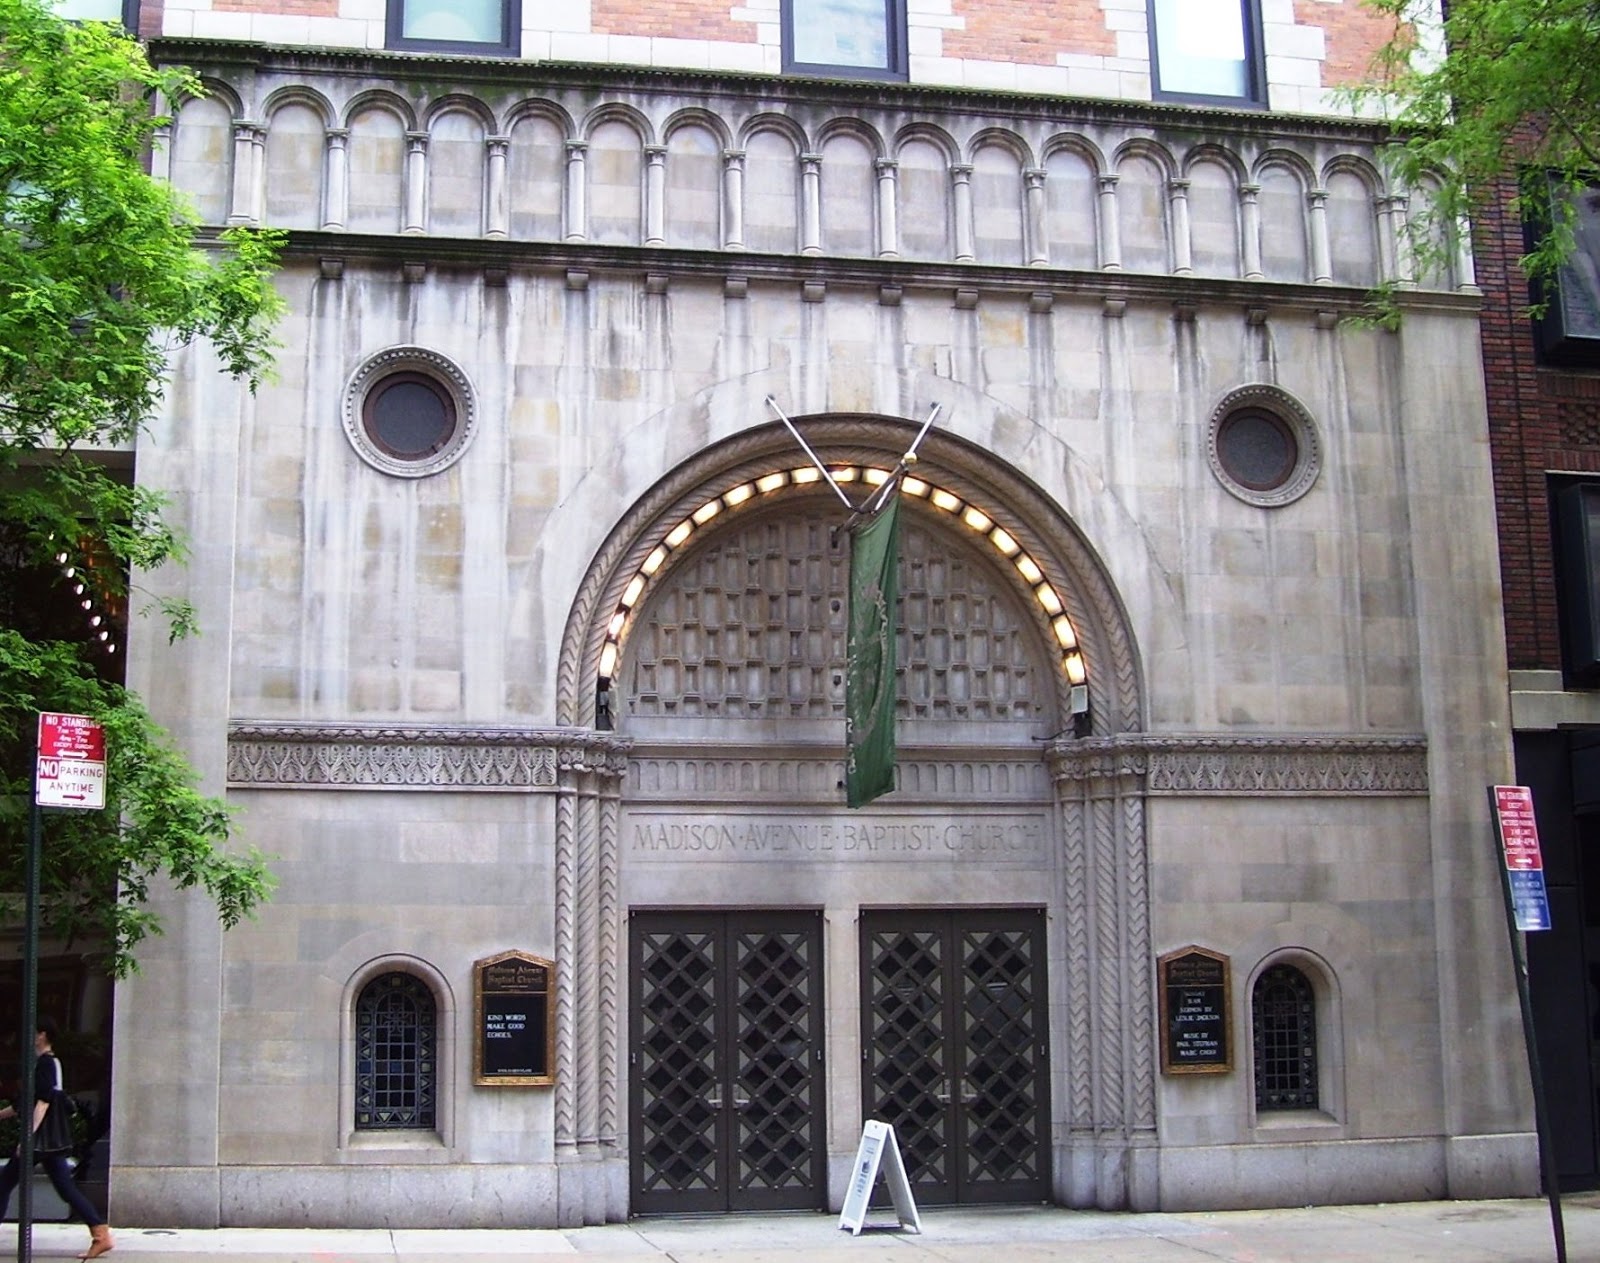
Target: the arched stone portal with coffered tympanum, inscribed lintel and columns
pixel 706 630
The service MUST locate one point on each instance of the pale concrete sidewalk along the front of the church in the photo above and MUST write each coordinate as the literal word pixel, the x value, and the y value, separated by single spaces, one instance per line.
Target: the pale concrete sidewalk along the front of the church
pixel 1503 1232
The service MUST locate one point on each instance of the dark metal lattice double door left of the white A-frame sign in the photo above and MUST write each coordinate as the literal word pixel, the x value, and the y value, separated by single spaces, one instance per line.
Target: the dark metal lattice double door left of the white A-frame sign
pixel 726 1086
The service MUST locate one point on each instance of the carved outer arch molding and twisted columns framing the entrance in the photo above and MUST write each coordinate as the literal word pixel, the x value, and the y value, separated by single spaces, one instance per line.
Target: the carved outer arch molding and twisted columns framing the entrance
pixel 1106 1032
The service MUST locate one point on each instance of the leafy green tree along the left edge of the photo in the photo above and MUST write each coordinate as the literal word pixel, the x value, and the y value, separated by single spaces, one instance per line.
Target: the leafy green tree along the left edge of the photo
pixel 103 276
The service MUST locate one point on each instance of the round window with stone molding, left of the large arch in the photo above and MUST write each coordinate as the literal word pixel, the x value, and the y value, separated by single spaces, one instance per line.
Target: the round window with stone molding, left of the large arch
pixel 409 412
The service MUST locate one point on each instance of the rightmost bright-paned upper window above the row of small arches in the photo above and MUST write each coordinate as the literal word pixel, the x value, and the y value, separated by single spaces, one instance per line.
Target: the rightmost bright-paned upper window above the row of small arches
pixel 1207 52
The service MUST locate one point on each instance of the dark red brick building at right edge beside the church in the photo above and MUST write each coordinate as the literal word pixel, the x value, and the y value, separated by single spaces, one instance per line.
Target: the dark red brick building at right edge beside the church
pixel 1543 391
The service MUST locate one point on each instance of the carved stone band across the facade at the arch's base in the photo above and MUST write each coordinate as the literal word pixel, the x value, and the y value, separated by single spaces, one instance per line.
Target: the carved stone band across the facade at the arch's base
pixel 310 756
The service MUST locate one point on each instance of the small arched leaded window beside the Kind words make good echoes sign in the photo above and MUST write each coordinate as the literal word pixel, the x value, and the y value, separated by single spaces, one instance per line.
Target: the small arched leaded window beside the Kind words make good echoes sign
pixel 396 1054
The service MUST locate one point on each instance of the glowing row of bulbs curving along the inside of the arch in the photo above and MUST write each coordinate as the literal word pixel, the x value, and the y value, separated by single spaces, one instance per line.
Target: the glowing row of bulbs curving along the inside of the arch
pixel 970 516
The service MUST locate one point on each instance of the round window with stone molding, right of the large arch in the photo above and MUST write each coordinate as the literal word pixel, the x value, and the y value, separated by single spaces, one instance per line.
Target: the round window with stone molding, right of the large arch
pixel 1263 446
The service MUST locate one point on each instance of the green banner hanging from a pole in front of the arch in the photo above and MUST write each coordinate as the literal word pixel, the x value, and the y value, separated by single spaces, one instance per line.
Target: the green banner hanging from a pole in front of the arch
pixel 870 657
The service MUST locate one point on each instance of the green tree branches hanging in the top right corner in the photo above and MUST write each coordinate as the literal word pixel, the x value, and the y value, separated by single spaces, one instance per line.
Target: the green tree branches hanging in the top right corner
pixel 1502 97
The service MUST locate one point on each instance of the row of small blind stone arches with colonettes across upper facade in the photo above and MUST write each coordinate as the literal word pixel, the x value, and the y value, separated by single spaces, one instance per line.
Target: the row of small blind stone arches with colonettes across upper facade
pixel 1143 209
